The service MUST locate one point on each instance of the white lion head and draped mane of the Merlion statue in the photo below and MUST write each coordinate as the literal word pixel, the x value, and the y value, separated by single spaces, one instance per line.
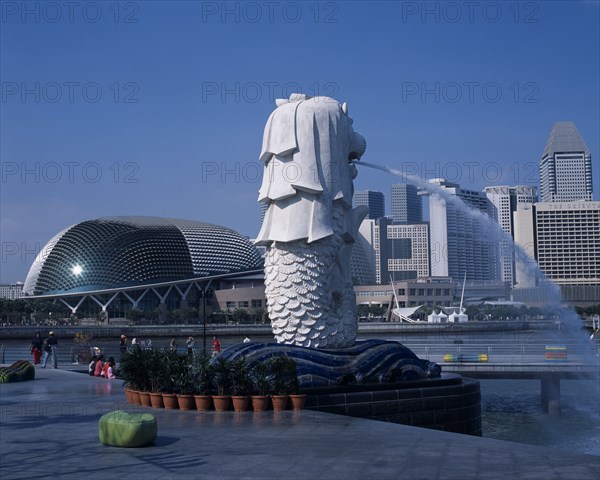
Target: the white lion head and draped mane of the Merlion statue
pixel 308 146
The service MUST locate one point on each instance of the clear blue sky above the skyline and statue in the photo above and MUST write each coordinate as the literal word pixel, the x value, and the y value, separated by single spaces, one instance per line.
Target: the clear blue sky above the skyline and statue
pixel 157 108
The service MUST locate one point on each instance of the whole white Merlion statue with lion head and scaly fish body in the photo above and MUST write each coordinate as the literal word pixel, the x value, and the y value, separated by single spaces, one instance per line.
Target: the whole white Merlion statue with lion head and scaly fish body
pixel 309 225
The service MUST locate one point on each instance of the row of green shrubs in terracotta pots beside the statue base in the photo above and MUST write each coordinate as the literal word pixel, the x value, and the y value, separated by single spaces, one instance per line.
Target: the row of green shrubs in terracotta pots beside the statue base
pixel 166 379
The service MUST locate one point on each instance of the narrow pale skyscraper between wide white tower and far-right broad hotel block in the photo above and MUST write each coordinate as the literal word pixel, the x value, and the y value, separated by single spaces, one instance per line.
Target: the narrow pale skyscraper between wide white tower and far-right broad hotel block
pixel 507 200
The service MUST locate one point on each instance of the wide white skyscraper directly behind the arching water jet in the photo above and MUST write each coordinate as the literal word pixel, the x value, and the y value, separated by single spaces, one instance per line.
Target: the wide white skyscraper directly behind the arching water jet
pixel 460 243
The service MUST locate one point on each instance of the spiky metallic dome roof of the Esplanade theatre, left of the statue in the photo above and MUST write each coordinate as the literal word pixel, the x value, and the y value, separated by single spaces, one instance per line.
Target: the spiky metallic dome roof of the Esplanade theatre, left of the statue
pixel 112 252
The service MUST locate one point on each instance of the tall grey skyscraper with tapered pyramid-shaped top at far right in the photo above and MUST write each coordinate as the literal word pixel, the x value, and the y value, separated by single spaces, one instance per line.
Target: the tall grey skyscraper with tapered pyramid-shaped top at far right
pixel 566 166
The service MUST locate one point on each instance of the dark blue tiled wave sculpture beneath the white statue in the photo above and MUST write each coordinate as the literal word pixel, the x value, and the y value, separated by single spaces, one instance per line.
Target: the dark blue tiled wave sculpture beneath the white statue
pixel 369 361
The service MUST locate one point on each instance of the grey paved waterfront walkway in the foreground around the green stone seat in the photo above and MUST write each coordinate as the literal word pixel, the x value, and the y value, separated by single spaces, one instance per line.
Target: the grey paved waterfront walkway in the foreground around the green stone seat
pixel 49 429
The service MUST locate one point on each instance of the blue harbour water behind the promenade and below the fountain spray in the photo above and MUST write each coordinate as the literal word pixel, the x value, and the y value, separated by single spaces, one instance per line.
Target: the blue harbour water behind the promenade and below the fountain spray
pixel 511 409
